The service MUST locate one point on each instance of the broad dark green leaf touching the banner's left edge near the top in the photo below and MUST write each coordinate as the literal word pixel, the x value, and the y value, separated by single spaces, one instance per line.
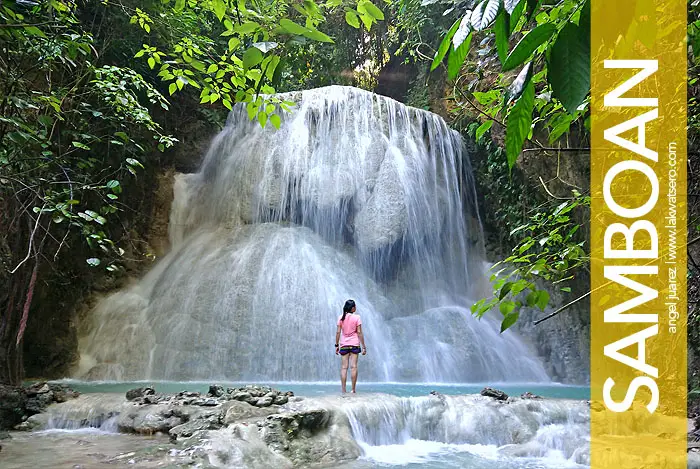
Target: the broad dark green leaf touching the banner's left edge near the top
pixel 569 68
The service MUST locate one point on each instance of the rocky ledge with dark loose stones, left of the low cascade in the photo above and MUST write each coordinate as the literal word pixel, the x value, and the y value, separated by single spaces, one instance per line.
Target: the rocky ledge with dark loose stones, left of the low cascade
pixel 256 425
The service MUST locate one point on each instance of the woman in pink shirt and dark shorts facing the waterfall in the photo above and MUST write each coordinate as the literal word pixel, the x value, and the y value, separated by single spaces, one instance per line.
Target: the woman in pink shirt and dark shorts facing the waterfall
pixel 350 324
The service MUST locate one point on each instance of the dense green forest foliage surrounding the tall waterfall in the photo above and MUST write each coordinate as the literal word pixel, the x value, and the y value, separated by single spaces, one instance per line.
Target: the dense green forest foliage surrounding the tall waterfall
pixel 101 100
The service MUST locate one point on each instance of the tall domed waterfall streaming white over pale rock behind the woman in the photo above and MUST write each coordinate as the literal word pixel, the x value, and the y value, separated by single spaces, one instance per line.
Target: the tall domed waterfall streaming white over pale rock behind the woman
pixel 355 196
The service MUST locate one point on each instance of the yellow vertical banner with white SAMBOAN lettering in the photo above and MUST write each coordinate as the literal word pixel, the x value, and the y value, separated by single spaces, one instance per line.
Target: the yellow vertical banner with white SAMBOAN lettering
pixel 638 234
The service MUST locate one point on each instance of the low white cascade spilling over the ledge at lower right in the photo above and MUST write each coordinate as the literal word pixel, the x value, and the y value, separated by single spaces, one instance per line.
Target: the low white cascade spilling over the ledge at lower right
pixel 556 430
